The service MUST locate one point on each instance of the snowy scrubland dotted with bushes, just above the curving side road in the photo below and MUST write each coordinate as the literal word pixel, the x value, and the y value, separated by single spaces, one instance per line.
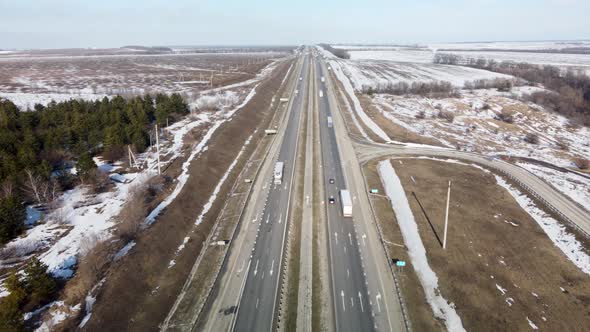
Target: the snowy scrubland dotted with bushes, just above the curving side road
pixel 477 128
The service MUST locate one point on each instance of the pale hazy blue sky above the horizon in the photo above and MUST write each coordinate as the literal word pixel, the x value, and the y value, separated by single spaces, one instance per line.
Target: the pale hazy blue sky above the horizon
pixel 112 23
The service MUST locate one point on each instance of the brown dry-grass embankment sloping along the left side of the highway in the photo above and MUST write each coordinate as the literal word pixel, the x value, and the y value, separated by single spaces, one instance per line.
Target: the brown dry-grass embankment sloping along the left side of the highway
pixel 141 289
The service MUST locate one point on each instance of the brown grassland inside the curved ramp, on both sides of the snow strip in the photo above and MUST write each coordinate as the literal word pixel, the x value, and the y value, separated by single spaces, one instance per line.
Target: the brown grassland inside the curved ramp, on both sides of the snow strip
pixel 484 253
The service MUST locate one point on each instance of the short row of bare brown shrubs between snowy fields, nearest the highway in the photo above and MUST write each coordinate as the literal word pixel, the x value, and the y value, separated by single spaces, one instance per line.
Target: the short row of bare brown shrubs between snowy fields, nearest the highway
pixel 437 89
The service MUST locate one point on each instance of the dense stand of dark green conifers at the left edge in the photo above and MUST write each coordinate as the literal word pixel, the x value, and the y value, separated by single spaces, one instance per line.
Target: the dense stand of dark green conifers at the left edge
pixel 38 146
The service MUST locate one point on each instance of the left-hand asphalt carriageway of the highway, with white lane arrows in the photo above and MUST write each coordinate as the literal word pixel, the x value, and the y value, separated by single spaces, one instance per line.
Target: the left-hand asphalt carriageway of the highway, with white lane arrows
pixel 256 309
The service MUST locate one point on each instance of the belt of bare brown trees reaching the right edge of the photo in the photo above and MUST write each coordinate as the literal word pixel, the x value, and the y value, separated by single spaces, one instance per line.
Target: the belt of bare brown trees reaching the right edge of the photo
pixel 570 95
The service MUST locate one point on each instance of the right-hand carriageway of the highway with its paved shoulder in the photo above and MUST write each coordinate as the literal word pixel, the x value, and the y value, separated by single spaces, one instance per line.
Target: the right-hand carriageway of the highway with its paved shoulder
pixel 363 290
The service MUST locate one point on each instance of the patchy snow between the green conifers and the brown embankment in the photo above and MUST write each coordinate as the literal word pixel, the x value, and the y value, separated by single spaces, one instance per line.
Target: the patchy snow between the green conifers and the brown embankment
pixel 82 216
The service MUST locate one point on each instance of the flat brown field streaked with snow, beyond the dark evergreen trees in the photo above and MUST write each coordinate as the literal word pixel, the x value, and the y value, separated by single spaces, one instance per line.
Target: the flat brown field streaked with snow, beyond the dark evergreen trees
pixel 30 80
